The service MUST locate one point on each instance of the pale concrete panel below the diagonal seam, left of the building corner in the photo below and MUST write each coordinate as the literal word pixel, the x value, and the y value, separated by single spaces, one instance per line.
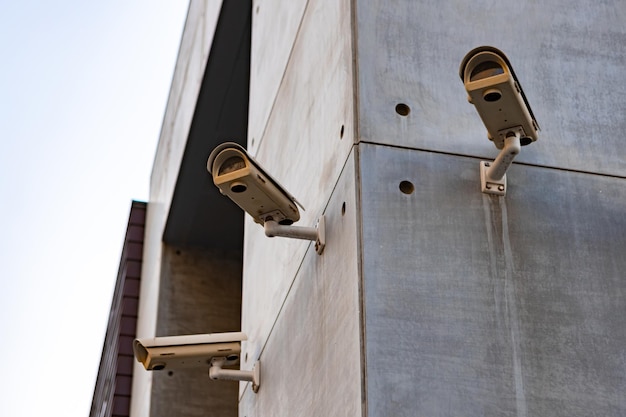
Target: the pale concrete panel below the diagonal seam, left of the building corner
pixel 311 364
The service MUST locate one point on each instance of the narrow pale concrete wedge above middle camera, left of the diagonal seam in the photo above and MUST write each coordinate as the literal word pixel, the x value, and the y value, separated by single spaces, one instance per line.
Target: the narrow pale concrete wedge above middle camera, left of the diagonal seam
pixel 275 25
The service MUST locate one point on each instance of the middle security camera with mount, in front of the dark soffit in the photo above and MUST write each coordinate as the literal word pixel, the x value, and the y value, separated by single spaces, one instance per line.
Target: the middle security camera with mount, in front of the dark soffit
pixel 244 181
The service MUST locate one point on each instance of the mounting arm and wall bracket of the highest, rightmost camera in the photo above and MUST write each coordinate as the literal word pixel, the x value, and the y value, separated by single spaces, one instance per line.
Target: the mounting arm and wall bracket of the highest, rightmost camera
pixel 493 174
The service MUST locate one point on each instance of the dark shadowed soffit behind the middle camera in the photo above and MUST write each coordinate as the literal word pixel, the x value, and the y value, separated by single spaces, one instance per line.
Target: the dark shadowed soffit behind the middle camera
pixel 199 215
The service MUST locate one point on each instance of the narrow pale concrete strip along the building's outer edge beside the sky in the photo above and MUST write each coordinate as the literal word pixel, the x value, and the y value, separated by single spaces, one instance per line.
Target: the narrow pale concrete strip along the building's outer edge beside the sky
pixel 197 37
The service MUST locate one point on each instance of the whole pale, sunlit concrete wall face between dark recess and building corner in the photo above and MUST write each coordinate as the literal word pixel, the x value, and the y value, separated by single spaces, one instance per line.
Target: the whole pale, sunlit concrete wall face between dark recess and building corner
pixel 301 310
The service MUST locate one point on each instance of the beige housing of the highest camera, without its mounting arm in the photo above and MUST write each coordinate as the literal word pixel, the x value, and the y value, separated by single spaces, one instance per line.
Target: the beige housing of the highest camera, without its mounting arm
pixel 495 91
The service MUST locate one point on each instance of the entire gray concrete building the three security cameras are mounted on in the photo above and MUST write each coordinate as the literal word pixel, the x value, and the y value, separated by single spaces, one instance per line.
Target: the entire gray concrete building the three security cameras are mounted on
pixel 430 298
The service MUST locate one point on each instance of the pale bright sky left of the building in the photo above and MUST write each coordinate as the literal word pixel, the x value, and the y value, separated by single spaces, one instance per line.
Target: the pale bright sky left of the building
pixel 83 90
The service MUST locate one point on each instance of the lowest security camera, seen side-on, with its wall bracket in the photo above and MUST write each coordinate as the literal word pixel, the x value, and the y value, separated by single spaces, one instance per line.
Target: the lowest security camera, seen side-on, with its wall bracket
pixel 199 350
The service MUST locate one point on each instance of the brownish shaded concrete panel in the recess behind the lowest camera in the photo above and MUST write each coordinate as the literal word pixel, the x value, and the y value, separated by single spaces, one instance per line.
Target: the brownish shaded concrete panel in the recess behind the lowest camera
pixel 200 293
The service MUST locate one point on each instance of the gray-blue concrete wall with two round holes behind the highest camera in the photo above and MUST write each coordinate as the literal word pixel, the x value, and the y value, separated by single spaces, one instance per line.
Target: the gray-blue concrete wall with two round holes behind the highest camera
pixel 479 305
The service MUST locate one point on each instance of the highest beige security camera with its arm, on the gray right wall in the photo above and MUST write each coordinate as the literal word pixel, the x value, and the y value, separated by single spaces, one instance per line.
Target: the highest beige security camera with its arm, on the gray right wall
pixel 495 91
